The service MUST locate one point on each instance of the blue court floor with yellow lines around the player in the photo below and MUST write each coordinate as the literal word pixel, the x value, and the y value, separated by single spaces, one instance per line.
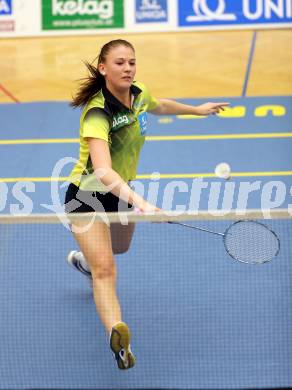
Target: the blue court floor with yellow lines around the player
pixel 199 320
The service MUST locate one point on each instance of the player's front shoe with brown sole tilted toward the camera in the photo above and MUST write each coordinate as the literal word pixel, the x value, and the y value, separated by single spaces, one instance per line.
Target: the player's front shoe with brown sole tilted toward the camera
pixel 120 345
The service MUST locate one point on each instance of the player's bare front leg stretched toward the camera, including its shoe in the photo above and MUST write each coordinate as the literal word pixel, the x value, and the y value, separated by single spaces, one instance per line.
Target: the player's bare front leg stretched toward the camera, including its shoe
pixel 95 243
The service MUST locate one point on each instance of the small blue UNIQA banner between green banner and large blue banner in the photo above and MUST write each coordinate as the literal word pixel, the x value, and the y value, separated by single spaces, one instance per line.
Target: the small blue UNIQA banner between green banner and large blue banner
pixel 151 11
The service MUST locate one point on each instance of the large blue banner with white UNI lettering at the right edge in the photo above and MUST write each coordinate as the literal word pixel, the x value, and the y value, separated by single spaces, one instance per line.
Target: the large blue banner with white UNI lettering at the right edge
pixel 229 12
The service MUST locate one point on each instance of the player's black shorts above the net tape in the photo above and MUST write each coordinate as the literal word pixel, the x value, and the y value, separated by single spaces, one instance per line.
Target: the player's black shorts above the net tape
pixel 88 201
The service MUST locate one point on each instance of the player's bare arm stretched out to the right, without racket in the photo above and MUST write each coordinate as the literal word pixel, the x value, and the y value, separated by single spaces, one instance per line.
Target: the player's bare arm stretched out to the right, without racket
pixel 172 107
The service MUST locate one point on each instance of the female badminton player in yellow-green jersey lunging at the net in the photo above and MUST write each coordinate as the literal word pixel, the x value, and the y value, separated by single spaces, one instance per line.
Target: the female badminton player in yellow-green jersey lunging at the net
pixel 112 132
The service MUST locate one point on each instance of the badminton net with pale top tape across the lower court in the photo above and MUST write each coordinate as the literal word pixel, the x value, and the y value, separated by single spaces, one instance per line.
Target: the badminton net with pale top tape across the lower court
pixel 198 319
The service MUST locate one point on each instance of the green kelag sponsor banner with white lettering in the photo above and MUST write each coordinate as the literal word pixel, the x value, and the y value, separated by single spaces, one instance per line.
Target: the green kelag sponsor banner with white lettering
pixel 82 14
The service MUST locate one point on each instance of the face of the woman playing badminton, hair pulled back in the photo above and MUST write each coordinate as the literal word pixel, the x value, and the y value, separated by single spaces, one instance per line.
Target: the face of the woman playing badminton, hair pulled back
pixel 119 67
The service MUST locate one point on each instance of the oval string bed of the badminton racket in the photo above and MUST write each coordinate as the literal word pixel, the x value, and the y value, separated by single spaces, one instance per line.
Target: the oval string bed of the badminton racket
pixel 251 242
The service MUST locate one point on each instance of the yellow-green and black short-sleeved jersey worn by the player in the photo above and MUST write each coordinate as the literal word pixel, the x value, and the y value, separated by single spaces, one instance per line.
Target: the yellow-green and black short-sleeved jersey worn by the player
pixel 105 117
